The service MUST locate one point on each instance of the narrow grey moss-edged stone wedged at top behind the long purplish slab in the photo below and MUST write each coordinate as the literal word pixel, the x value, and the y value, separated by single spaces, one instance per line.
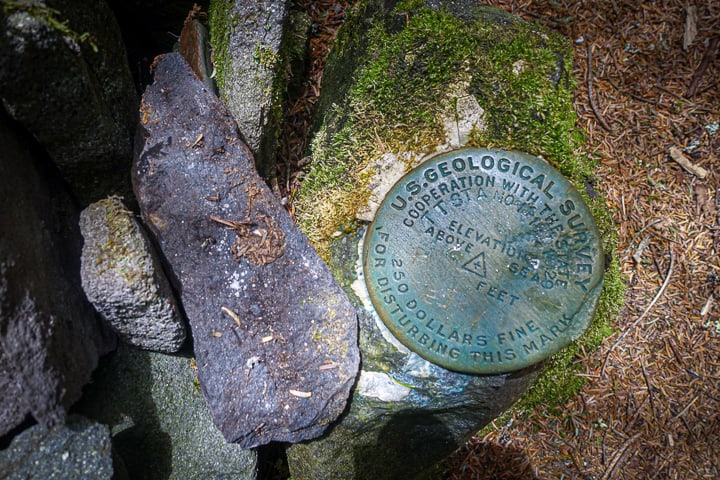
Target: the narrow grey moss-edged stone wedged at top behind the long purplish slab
pixel 255 45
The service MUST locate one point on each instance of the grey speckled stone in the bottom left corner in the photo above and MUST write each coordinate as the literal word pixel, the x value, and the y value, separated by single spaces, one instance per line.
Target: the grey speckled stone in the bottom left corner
pixel 78 448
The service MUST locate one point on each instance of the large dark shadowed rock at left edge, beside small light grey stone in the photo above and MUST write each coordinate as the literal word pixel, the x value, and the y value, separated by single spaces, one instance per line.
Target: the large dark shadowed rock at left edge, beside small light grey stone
pixel 50 339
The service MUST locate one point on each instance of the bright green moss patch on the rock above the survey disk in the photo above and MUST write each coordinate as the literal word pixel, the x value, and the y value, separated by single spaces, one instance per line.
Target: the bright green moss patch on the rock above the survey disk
pixel 518 74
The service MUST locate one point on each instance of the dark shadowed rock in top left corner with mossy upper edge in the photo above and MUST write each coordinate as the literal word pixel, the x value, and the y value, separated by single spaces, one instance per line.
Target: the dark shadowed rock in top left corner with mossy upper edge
pixel 64 76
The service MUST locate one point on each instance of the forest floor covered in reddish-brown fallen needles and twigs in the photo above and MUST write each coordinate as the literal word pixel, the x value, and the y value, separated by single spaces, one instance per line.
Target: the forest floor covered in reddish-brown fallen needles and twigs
pixel 650 406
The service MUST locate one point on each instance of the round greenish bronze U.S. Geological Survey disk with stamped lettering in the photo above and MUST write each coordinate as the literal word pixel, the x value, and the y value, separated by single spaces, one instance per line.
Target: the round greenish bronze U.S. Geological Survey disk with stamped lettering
pixel 484 261
